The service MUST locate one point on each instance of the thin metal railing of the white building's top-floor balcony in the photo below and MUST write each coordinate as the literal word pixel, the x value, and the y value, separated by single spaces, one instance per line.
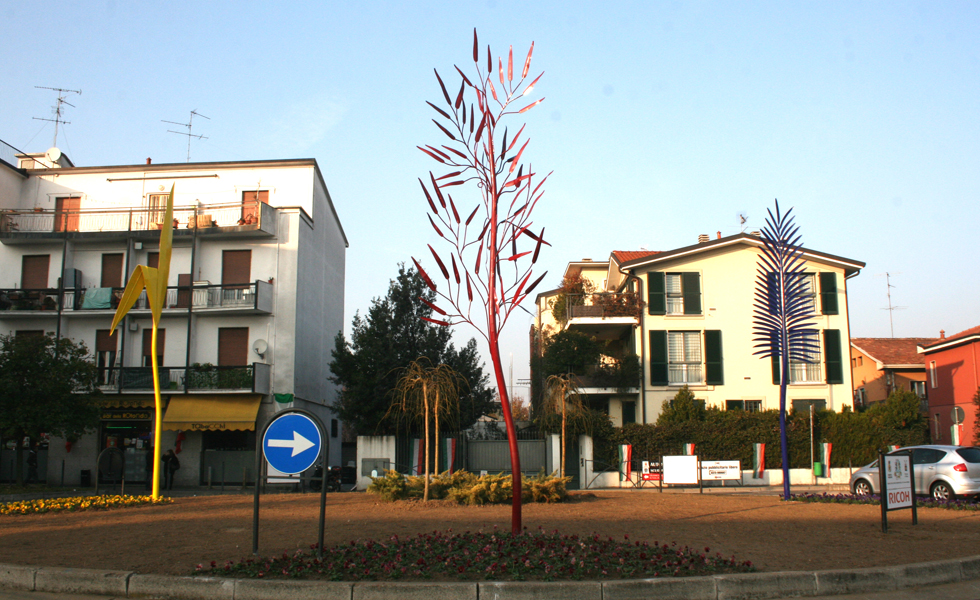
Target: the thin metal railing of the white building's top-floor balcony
pixel 236 214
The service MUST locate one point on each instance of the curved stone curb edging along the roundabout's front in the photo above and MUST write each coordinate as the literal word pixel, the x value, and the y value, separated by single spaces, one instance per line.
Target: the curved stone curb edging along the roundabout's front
pixel 712 587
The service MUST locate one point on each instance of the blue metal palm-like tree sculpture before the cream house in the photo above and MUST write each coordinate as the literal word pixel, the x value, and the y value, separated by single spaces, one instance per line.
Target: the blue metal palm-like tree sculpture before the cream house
pixel 783 310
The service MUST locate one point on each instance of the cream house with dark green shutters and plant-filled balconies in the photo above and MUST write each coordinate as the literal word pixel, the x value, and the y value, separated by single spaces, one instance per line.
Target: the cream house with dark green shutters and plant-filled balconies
pixel 687 314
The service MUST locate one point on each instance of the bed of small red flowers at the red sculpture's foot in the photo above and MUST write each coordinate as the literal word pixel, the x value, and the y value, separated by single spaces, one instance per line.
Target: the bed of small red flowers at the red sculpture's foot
pixel 490 555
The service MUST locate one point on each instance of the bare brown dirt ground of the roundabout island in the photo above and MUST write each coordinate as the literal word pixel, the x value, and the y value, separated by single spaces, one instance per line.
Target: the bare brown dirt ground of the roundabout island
pixel 774 535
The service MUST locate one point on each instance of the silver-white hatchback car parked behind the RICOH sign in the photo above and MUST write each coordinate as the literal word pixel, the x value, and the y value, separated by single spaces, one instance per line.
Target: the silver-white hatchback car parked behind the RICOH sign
pixel 943 472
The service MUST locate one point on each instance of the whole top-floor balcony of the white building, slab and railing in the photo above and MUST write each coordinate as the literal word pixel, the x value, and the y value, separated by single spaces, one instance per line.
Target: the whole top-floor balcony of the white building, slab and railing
pixel 238 219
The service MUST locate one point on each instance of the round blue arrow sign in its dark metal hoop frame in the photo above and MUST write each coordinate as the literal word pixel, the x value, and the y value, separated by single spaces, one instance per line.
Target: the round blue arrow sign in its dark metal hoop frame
pixel 290 443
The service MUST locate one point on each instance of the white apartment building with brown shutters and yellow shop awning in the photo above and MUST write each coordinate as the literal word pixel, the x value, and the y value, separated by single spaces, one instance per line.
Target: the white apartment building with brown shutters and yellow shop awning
pixel 255 299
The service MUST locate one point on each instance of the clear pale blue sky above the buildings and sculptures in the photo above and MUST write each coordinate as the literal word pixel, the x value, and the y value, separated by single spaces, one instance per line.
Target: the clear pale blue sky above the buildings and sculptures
pixel 661 121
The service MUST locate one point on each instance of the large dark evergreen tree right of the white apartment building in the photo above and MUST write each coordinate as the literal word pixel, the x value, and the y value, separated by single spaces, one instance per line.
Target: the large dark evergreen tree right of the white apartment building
pixel 385 342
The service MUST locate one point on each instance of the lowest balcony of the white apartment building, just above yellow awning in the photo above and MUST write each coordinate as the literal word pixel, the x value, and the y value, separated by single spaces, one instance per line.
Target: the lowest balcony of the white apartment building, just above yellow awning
pixel 255 378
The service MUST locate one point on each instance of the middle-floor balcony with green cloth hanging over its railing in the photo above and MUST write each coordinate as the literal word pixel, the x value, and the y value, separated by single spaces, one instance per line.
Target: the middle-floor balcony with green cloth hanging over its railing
pixel 251 298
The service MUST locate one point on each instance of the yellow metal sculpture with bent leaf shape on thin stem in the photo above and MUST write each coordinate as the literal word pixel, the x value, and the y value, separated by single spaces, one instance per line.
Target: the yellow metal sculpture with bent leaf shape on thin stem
pixel 154 281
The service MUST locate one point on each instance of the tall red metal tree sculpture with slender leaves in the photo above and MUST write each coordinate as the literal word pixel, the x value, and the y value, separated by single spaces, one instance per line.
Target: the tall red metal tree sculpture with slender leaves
pixel 491 256
